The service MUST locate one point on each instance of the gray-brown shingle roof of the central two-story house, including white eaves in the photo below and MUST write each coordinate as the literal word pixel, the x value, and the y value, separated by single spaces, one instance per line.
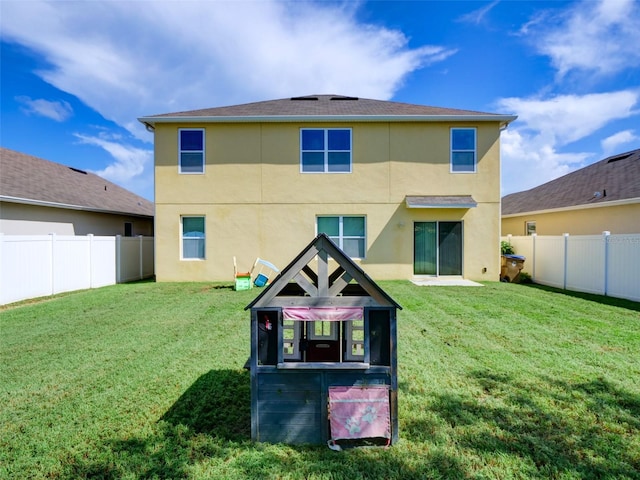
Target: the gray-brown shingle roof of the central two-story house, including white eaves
pixel 324 107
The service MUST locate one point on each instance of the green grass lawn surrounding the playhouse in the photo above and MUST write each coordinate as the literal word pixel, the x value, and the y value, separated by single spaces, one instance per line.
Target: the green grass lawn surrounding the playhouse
pixel 145 380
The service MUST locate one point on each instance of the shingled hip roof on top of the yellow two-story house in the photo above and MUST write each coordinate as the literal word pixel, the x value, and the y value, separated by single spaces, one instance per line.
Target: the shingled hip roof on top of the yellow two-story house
pixel 323 106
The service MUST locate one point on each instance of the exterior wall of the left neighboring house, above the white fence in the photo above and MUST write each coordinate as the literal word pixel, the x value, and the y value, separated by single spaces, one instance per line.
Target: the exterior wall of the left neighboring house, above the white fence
pixel 23 219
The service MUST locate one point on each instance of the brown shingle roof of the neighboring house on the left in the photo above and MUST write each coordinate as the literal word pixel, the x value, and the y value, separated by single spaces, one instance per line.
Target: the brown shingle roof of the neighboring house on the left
pixel 32 180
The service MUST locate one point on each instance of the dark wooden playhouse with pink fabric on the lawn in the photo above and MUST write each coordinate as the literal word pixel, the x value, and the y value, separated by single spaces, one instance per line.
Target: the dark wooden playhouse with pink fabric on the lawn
pixel 323 354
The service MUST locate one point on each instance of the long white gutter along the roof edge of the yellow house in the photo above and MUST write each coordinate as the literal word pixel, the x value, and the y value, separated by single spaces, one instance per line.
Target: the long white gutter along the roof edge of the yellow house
pixel 503 119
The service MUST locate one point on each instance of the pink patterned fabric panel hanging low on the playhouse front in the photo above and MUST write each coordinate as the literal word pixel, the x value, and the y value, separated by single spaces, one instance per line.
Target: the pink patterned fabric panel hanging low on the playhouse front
pixel 359 412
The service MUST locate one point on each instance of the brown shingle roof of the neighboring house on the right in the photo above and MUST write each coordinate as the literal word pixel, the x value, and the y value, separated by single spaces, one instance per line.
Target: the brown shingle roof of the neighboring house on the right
pixel 613 180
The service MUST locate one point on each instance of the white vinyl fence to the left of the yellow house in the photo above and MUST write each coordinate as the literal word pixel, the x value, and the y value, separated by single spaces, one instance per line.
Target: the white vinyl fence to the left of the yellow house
pixel 39 265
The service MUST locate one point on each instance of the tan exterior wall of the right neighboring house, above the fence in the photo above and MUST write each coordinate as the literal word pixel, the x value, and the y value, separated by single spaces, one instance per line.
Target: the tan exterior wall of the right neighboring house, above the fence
pixel 587 221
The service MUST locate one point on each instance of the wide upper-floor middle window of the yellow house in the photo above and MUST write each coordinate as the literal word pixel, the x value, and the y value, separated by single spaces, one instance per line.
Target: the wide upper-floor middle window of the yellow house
pixel 325 150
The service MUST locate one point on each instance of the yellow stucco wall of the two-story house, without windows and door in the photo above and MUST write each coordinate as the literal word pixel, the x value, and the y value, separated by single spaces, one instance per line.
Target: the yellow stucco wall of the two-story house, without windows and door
pixel 258 204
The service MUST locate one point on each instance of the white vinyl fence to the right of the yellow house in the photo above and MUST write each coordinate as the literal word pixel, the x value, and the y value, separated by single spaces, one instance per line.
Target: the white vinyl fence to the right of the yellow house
pixel 602 264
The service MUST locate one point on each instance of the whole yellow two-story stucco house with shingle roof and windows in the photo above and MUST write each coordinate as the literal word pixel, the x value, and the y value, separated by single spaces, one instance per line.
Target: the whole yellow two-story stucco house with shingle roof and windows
pixel 405 190
